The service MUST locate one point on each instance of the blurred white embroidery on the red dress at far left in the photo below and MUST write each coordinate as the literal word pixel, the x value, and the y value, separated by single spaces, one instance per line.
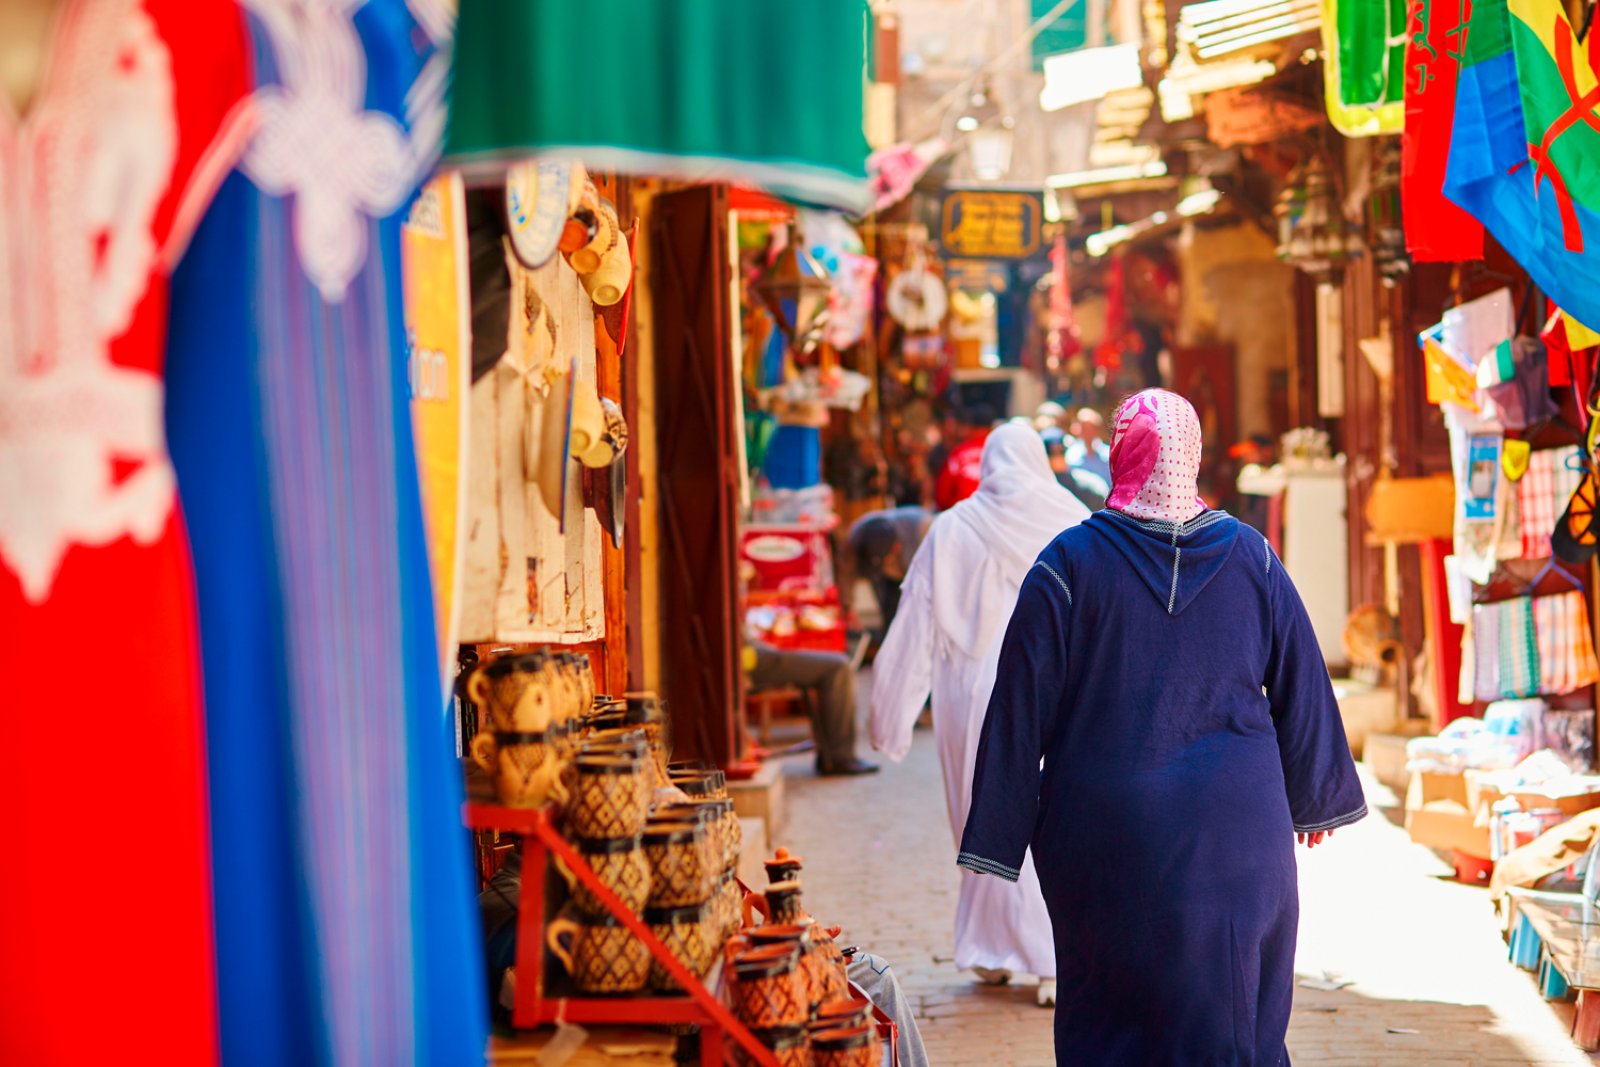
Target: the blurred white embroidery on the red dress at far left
pixel 82 446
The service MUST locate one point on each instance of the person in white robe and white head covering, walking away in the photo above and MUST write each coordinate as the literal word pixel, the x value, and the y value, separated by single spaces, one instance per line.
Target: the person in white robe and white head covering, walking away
pixel 945 644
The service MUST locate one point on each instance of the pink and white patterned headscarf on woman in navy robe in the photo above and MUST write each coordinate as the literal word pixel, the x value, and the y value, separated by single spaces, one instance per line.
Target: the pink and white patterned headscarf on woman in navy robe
pixel 1156 458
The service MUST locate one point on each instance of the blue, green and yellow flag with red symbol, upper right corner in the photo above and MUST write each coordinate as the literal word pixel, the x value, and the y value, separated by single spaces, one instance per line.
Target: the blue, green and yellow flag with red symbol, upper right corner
pixel 1522 153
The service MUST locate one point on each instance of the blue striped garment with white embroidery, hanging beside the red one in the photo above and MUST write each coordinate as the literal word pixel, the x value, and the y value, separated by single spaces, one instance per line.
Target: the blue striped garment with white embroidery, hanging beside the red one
pixel 346 925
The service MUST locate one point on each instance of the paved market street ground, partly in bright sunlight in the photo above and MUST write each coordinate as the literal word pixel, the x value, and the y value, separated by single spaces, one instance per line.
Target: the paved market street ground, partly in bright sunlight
pixel 1430 981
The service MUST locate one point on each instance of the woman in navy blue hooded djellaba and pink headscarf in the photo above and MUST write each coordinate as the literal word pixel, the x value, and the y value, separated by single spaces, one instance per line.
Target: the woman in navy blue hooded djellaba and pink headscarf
pixel 1162 729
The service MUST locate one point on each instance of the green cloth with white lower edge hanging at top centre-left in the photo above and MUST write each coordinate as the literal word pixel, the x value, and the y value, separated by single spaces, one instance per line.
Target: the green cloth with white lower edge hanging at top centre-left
pixel 751 92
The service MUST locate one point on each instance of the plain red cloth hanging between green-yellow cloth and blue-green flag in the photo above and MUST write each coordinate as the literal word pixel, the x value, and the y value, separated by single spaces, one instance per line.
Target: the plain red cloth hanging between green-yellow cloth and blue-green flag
pixel 1436 230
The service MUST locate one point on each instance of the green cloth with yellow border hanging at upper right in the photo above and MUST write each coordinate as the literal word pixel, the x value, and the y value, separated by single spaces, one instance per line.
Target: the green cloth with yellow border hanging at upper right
pixel 1366 70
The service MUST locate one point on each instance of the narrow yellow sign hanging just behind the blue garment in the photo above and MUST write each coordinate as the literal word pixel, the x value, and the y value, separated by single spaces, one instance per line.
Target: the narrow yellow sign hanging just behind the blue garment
pixel 439 370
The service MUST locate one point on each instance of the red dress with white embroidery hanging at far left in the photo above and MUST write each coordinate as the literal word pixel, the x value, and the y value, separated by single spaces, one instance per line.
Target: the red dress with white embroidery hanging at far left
pixel 102 182
